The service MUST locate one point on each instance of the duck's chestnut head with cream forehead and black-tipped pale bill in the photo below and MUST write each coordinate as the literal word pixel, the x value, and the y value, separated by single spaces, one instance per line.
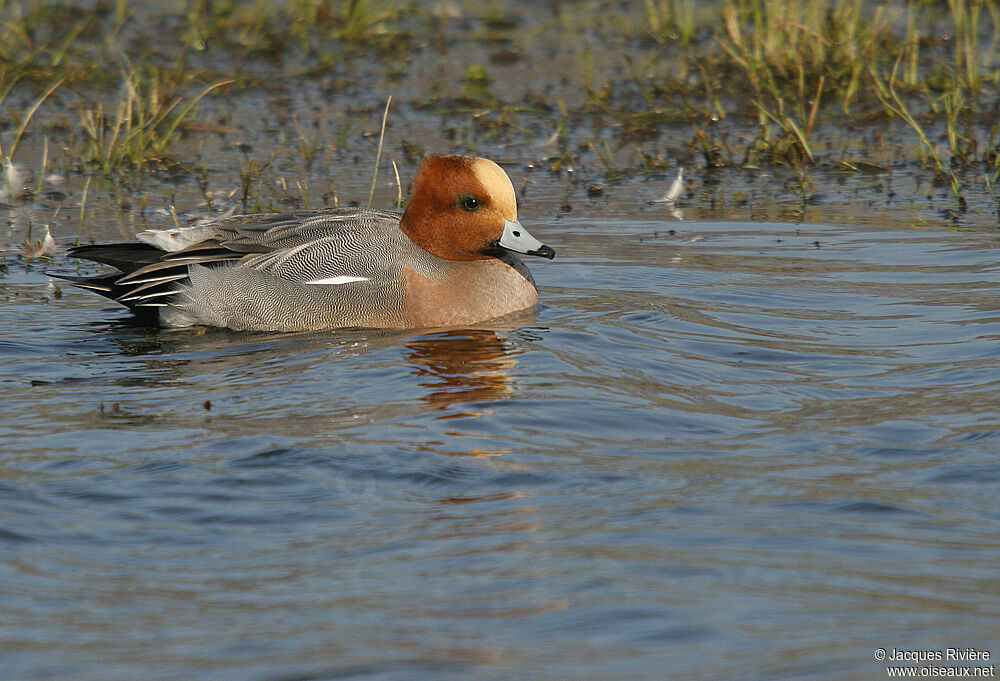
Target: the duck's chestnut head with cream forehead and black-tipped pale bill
pixel 463 208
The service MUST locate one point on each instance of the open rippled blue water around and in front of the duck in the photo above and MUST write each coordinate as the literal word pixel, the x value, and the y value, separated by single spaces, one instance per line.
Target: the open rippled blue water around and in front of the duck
pixel 718 450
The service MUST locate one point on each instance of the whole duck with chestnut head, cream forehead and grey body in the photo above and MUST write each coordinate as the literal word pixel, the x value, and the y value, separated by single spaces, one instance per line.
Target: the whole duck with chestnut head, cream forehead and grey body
pixel 450 259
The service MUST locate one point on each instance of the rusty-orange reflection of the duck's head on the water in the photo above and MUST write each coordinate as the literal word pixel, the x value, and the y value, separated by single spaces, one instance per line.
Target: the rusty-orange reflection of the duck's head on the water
pixel 462 366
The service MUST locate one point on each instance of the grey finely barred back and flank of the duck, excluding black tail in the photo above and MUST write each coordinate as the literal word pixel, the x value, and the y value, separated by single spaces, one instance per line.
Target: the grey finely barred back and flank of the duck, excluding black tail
pixel 305 270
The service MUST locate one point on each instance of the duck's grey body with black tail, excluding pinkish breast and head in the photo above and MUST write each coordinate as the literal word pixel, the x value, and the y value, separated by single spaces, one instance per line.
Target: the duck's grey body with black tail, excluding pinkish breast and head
pixel 247 272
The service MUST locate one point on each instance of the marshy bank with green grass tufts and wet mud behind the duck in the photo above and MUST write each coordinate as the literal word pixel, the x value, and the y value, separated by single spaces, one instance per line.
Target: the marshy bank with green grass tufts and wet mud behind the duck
pixel 120 90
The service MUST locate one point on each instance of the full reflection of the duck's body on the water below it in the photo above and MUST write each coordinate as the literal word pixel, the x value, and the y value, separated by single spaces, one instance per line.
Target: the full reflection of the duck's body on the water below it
pixel 439 373
